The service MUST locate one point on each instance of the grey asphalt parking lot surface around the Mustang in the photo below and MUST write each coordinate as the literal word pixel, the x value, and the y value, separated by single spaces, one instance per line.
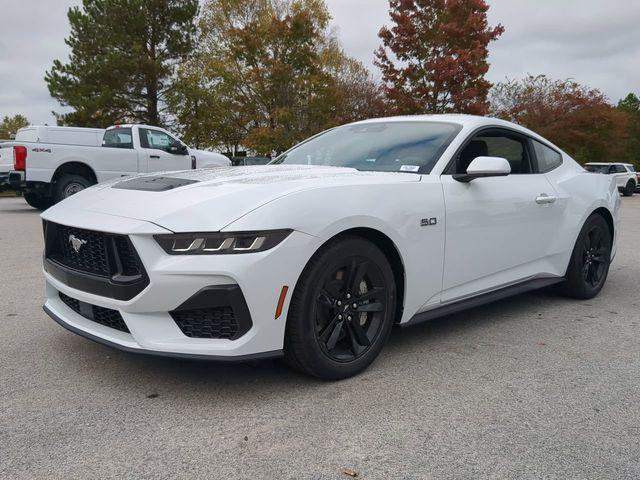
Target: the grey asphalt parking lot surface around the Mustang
pixel 536 386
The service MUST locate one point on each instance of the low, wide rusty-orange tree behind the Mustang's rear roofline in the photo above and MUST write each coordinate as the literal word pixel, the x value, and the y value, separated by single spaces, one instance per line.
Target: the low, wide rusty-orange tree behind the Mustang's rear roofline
pixel 577 118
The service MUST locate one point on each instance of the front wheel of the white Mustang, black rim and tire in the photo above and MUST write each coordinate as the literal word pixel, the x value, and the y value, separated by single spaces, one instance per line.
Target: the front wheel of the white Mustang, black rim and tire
pixel 342 310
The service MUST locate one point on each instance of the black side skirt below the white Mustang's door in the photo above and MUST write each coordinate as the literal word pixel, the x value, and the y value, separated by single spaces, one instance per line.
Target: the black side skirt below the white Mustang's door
pixel 482 299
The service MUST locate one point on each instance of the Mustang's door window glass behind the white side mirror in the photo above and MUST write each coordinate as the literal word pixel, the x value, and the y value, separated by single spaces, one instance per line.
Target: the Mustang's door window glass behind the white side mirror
pixel 497 143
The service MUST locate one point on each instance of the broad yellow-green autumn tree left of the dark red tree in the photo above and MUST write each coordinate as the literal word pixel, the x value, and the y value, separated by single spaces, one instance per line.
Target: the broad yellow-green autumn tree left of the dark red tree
pixel 266 75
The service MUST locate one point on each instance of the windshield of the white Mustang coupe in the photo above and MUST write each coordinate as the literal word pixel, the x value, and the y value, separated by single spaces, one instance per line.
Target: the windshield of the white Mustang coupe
pixel 377 146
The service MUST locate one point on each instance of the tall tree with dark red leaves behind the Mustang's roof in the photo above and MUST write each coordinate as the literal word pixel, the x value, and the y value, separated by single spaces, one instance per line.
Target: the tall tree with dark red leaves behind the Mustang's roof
pixel 434 57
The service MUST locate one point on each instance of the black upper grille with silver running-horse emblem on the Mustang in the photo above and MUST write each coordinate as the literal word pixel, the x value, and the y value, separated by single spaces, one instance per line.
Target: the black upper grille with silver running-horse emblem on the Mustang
pixel 96 253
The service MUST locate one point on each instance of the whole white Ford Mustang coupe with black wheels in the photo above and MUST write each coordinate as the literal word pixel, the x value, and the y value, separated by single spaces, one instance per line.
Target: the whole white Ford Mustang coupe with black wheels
pixel 316 256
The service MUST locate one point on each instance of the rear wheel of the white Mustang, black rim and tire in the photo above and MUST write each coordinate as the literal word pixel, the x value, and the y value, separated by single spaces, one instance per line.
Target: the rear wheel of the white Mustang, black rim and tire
pixel 590 260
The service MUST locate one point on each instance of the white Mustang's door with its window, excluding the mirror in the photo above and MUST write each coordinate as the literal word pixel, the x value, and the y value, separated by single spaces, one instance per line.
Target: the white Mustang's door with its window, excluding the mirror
pixel 495 227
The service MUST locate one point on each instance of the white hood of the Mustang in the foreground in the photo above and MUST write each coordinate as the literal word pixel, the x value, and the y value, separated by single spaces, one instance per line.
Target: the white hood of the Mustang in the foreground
pixel 210 199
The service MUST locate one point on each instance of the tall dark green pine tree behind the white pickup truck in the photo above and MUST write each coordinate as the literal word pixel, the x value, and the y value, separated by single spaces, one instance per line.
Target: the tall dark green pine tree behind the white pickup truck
pixel 123 58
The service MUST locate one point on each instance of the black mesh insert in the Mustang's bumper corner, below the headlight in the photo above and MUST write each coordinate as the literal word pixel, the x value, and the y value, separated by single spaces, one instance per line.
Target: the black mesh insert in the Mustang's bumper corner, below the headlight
pixel 218 322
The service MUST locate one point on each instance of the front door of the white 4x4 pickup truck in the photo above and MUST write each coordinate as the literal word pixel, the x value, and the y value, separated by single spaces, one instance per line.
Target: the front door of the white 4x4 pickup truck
pixel 156 145
